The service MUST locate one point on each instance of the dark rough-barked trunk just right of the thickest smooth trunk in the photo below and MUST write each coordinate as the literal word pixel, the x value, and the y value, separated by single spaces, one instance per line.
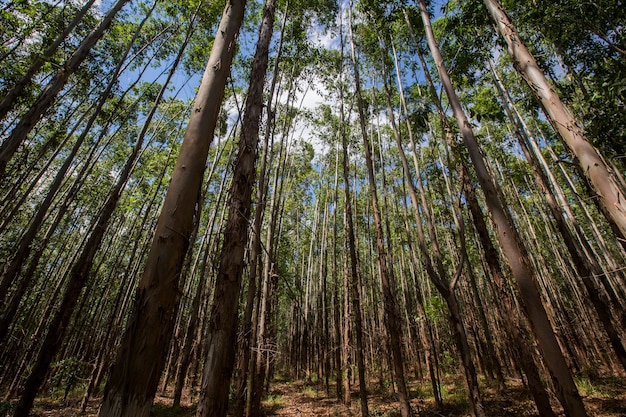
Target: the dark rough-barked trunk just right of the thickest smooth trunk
pixel 223 321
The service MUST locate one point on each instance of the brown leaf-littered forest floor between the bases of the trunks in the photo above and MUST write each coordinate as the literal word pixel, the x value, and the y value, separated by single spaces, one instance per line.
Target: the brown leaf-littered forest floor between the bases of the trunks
pixel 603 398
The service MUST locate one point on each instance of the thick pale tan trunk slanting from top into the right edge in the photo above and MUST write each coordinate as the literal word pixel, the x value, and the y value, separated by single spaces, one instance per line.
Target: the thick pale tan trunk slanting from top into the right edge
pixel 605 186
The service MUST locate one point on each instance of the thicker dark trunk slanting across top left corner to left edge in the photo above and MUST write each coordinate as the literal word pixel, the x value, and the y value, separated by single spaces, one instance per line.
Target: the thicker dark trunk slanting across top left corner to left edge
pixel 48 95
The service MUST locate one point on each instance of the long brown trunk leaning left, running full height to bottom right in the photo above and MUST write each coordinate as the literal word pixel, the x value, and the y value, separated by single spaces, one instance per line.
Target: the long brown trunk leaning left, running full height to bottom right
pixel 510 242
